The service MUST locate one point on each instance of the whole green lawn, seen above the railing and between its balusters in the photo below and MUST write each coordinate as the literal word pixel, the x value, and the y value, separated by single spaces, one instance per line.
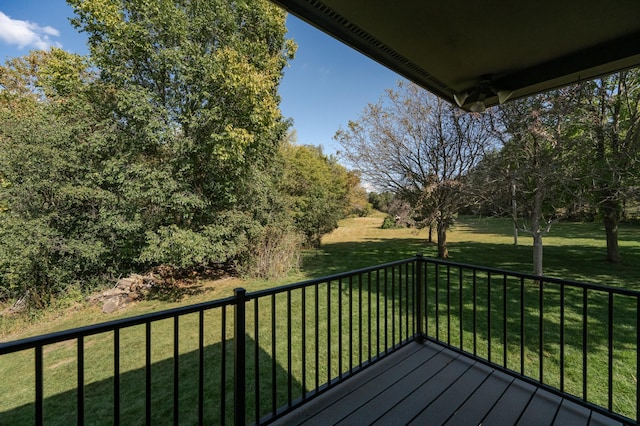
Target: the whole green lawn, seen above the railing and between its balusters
pixel 572 251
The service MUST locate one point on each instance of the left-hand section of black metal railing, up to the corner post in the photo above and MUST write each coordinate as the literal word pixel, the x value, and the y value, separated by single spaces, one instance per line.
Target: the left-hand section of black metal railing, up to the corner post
pixel 249 358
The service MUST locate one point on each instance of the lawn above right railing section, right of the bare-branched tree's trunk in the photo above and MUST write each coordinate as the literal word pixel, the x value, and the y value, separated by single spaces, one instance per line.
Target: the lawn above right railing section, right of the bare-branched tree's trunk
pixel 573 251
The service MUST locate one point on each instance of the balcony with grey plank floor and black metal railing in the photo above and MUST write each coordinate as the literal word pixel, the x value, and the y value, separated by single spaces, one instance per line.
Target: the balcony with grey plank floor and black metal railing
pixel 396 343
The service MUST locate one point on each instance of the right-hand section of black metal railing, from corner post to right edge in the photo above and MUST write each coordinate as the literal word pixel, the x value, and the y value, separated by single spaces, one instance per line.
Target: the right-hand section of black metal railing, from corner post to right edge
pixel 580 341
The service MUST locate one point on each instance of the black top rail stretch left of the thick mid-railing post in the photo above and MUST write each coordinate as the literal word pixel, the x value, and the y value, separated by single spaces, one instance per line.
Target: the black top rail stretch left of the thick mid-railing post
pixel 60 336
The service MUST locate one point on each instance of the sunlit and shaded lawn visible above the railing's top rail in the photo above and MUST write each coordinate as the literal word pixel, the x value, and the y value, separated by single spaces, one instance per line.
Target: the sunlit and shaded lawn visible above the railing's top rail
pixel 574 251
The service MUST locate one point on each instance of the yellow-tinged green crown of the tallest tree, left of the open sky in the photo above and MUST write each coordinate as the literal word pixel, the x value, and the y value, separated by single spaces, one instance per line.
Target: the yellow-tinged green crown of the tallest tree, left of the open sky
pixel 198 94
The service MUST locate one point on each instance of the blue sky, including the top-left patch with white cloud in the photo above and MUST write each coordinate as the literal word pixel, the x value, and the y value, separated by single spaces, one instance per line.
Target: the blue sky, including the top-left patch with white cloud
pixel 327 84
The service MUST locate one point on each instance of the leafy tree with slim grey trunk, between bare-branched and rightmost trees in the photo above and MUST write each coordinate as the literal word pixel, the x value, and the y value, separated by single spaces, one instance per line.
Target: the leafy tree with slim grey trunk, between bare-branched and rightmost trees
pixel 533 173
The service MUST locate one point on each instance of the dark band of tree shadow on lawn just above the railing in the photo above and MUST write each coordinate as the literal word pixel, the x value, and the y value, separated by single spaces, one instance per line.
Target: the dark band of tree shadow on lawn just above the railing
pixel 573 262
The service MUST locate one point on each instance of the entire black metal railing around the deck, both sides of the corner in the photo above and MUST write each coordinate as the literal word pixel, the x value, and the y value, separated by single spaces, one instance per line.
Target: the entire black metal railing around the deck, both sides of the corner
pixel 278 348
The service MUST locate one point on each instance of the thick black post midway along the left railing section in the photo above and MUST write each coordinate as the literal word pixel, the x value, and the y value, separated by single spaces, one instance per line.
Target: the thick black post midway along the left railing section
pixel 239 357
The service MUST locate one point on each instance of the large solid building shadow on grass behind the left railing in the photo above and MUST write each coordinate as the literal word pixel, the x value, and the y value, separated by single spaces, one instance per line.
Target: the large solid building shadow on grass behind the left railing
pixel 218 403
